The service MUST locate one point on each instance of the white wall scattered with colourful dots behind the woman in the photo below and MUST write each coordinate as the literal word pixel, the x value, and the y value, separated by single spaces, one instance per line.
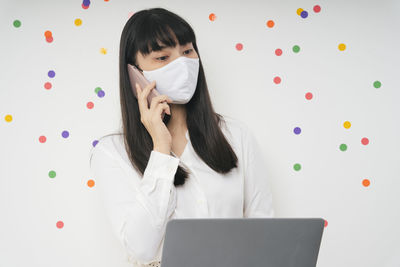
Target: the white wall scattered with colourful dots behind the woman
pixel 362 221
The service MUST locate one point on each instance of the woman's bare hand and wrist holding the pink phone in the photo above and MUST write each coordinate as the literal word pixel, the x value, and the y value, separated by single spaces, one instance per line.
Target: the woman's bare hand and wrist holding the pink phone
pixel 151 117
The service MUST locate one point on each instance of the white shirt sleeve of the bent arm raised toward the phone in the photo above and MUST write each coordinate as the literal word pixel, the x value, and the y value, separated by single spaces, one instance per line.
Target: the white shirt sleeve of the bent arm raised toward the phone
pixel 138 211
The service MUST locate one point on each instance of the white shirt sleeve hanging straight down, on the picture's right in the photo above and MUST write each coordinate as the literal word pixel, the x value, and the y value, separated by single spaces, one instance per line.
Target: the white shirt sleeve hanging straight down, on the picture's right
pixel 257 192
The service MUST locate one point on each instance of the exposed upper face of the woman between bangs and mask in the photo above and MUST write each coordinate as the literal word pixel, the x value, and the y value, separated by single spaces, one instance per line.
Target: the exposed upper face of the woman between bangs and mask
pixel 158 59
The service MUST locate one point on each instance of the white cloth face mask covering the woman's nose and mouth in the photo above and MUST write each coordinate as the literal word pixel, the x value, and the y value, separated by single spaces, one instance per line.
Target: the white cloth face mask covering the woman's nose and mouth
pixel 177 79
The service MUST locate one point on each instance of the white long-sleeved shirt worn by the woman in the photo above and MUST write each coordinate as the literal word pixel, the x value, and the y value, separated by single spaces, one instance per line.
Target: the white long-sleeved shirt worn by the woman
pixel 139 208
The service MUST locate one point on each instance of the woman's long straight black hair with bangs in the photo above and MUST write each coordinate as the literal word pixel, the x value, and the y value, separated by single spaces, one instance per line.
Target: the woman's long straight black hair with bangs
pixel 141 33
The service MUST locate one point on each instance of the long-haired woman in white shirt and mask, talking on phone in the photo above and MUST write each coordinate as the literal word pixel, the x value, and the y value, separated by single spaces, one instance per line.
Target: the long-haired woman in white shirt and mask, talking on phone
pixel 194 163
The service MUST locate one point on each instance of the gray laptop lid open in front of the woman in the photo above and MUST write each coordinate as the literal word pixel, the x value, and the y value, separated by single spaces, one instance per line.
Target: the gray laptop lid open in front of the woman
pixel 242 242
